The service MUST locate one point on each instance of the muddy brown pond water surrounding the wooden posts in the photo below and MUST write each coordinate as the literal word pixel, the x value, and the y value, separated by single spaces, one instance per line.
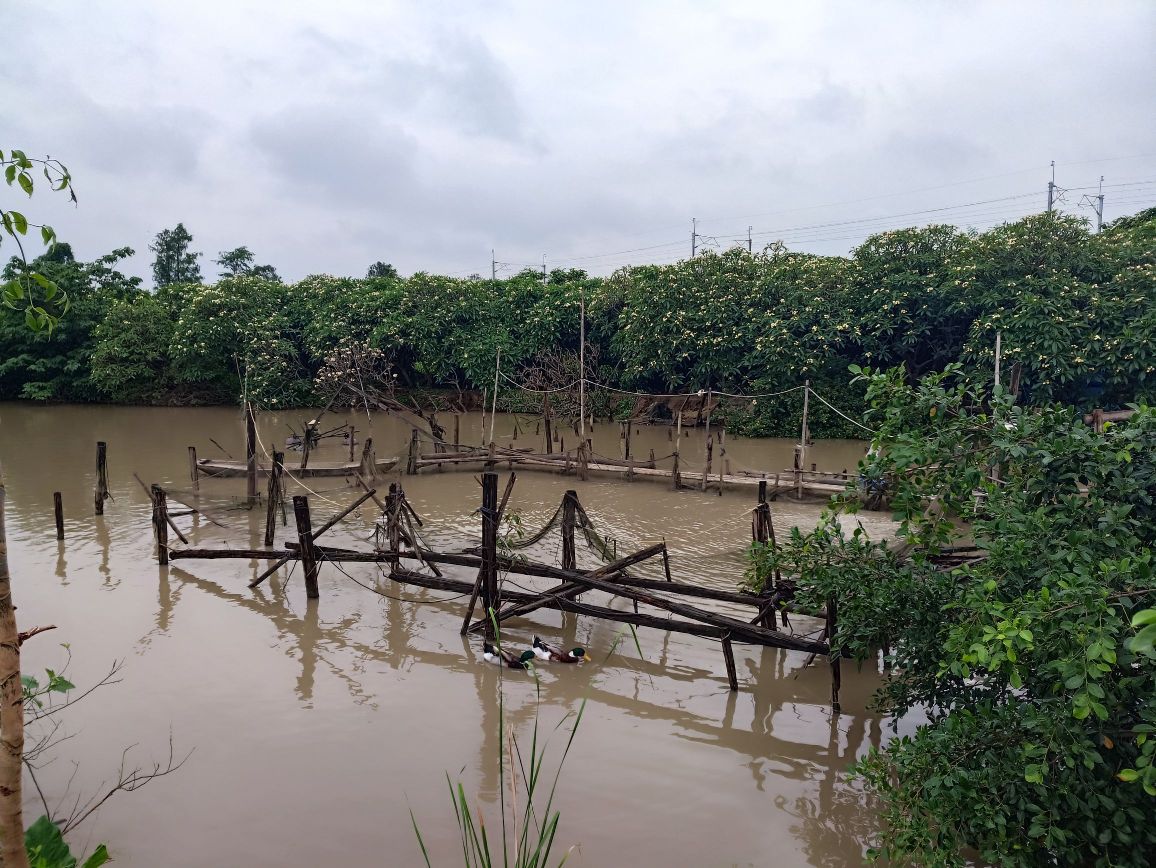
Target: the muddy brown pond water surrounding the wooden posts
pixel 316 726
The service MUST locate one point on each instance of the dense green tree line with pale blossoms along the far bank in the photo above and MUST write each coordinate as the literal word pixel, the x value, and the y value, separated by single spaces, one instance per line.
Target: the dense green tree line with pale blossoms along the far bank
pixel 1075 308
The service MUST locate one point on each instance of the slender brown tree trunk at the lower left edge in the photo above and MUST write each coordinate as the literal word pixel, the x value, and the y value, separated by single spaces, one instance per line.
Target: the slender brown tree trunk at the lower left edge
pixel 12 717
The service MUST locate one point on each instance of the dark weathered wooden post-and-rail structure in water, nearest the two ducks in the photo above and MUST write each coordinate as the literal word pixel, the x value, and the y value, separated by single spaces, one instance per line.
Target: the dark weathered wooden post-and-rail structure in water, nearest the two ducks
pixel 657 604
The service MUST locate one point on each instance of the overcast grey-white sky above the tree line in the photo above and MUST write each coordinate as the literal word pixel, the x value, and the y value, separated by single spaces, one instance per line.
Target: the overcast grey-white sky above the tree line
pixel 329 136
